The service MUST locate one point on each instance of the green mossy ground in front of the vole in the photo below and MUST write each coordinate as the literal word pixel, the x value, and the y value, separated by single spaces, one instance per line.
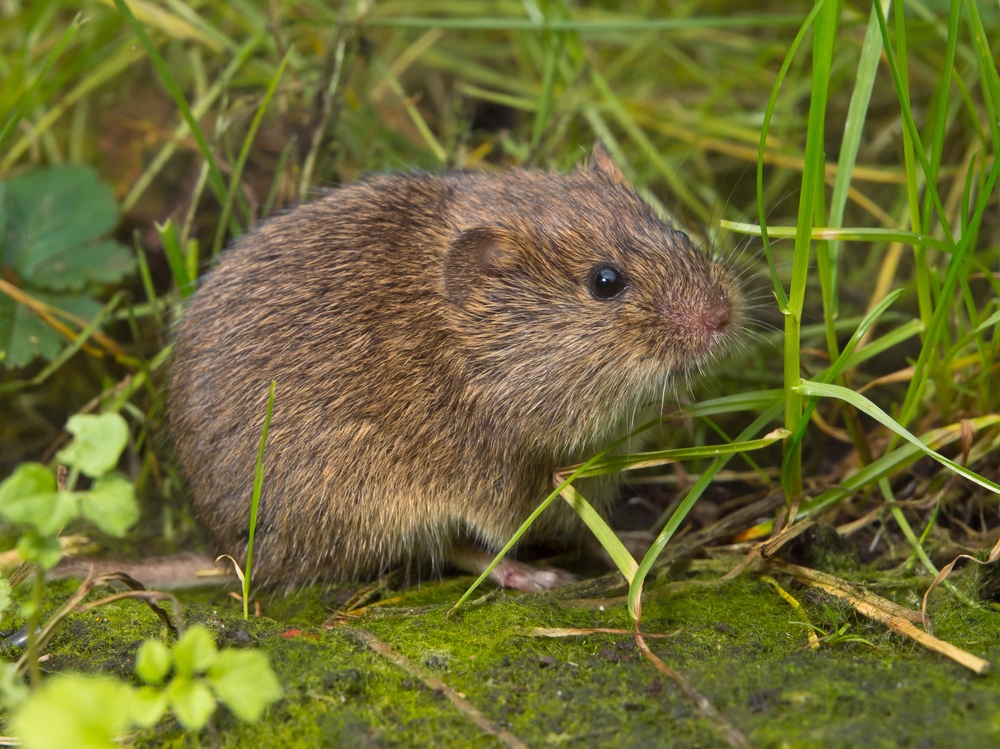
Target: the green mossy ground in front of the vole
pixel 736 643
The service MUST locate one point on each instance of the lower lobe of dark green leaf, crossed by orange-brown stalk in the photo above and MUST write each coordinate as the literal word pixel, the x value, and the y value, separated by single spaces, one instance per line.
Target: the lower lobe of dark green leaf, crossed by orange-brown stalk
pixel 24 335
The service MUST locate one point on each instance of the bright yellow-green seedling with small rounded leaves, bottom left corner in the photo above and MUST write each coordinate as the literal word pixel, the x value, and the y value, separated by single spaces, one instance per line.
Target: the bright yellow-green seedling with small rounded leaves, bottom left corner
pixel 92 710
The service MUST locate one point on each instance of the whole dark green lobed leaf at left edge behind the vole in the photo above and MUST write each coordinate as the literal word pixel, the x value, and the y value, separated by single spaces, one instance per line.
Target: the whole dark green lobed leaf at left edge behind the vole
pixel 53 255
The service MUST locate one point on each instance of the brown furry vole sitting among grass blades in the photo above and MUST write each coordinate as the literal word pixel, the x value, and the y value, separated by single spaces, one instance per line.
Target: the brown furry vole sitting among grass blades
pixel 441 343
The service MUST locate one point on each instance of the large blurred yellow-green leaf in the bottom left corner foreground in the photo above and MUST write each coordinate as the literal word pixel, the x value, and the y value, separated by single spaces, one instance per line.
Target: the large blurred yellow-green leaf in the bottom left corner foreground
pixel 72 710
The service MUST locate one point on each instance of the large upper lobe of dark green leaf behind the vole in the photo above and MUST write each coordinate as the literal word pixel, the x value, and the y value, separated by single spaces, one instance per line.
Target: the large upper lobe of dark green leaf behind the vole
pixel 55 210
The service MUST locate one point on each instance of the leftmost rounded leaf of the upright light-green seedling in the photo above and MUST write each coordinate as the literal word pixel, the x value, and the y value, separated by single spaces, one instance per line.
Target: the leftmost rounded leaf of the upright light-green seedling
pixel 29 496
